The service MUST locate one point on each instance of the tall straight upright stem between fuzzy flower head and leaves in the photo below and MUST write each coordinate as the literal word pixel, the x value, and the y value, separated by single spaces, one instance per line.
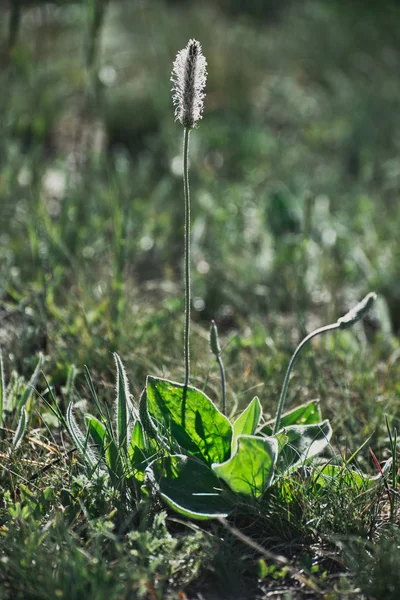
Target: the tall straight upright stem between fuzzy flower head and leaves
pixel 187 251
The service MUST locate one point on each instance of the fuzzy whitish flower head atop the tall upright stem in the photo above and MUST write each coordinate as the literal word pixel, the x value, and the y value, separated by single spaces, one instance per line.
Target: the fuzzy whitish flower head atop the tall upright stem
pixel 189 76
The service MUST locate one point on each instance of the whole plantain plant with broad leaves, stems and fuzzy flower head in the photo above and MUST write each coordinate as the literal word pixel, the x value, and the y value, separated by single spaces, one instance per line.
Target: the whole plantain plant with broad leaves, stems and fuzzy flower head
pixel 174 441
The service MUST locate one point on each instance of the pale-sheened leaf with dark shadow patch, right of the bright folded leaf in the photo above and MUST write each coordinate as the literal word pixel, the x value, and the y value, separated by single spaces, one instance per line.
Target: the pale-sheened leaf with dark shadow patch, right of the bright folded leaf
pixel 303 442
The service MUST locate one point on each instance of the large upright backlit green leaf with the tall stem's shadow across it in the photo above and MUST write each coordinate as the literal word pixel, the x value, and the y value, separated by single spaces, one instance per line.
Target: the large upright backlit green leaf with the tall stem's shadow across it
pixel 198 425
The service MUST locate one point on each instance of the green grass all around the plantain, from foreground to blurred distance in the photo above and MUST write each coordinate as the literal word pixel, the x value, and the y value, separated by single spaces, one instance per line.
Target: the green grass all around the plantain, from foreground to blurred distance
pixel 294 184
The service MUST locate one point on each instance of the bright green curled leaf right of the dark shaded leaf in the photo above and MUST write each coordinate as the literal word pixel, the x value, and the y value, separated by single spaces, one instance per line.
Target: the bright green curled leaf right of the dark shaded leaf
pixel 251 469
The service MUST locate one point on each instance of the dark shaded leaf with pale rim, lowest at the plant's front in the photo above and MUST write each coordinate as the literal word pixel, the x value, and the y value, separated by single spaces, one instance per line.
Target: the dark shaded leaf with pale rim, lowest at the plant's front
pixel 190 487
